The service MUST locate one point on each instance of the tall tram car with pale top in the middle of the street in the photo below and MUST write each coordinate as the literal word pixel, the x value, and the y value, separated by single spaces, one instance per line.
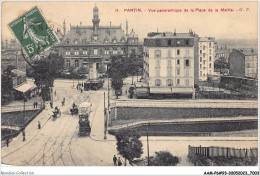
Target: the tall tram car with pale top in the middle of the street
pixel 84 124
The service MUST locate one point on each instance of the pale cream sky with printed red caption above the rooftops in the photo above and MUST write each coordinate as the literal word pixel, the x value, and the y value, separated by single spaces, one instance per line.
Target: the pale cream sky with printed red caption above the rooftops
pixel 221 25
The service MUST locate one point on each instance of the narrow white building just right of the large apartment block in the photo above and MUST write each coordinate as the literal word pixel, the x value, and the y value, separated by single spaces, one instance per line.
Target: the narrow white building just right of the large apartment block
pixel 206 57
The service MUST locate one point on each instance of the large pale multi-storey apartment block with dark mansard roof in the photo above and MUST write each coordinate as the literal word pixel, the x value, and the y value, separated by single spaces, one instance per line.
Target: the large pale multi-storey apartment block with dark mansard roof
pixel 169 63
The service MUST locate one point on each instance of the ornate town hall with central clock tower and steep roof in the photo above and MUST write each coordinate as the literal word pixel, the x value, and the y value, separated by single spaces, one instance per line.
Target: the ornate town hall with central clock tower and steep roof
pixel 93 46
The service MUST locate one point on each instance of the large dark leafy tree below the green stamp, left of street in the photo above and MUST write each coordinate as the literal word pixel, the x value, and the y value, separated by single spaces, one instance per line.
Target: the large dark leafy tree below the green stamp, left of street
pixel 45 71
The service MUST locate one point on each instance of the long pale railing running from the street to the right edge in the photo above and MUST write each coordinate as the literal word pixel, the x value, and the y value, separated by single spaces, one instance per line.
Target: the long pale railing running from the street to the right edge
pixel 188 104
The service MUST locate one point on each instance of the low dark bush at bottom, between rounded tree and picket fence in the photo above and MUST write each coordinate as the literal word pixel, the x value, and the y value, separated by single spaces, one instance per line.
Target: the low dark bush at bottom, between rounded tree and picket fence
pixel 164 158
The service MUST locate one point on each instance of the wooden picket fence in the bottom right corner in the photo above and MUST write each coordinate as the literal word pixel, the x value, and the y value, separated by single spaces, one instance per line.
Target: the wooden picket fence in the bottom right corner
pixel 223 151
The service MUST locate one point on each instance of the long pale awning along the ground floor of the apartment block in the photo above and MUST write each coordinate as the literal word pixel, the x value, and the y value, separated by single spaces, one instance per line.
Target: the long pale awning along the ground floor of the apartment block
pixel 169 90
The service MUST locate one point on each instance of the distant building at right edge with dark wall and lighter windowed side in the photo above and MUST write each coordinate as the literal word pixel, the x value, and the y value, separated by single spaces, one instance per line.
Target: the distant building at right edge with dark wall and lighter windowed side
pixel 243 63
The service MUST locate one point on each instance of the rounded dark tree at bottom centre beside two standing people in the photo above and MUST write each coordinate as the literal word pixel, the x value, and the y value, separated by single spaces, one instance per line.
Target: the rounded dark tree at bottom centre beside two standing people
pixel 129 145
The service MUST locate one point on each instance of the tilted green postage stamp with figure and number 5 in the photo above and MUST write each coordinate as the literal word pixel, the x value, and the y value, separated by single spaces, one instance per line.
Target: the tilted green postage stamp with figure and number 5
pixel 33 32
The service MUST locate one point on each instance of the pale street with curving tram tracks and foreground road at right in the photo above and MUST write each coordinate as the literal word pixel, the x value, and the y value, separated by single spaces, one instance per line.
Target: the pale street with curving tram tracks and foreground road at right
pixel 57 143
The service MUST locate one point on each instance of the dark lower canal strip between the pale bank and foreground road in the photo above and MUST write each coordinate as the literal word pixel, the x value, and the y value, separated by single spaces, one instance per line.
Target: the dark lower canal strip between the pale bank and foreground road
pixel 196 128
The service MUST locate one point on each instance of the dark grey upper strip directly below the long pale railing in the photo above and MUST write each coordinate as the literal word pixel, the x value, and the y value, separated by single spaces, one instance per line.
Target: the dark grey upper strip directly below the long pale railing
pixel 128 113
